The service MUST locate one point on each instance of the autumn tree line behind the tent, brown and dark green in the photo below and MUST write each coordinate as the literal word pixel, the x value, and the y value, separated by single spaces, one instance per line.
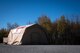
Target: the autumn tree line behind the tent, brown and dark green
pixel 63 31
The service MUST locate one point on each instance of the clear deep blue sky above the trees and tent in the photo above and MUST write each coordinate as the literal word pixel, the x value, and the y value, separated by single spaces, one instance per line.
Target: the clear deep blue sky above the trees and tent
pixel 24 11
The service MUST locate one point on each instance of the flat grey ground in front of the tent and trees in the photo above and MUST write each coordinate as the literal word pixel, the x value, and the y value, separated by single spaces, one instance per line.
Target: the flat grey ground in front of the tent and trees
pixel 40 49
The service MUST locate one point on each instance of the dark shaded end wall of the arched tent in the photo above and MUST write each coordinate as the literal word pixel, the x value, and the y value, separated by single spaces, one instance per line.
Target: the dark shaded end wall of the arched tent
pixel 35 35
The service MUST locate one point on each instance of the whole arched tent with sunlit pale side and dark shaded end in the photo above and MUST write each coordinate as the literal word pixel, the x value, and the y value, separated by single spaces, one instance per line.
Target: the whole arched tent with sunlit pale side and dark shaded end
pixel 32 34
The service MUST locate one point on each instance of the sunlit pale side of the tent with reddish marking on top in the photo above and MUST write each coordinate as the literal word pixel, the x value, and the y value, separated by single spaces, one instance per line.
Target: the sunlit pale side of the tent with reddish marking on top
pixel 15 35
